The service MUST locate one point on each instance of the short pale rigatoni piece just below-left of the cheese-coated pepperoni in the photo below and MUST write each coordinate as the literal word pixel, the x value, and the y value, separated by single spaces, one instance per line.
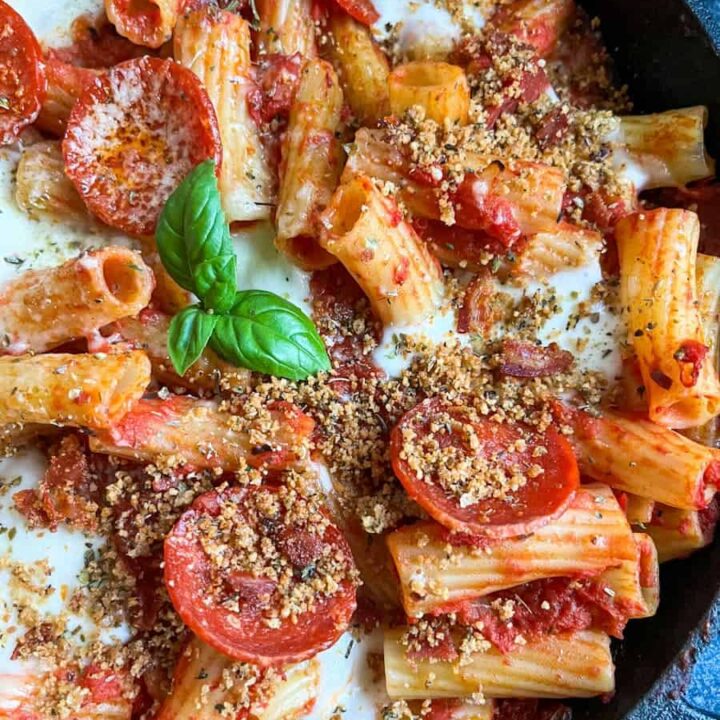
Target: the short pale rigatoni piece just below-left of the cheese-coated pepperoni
pixel 41 186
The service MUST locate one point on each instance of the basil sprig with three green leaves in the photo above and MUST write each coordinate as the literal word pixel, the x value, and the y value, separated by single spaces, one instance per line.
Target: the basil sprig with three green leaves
pixel 252 328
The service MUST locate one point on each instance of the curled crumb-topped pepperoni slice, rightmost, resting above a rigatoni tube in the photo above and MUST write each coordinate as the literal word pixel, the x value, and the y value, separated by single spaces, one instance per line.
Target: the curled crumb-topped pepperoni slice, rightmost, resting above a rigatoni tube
pixel 482 477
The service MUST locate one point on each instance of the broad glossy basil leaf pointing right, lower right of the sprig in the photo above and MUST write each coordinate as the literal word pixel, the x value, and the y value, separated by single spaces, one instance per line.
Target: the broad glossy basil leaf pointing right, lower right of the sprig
pixel 266 333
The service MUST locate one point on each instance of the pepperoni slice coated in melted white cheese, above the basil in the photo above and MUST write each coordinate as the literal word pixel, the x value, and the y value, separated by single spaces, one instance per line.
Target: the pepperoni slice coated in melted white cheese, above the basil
pixel 133 135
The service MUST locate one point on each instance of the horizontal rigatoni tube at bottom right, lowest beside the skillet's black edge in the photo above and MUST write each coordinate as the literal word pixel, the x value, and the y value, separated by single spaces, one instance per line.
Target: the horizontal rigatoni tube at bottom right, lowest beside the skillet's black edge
pixel 555 666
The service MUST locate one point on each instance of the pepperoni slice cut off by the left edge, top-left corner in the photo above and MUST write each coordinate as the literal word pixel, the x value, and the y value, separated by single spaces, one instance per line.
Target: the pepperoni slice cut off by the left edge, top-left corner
pixel 22 75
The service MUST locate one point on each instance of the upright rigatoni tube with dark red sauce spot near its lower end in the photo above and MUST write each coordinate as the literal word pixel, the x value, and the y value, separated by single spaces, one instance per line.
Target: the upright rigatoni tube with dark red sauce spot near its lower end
pixel 658 294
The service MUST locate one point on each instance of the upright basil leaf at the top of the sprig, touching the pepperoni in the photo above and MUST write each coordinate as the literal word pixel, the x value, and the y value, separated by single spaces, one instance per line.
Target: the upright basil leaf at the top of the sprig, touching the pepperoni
pixel 194 242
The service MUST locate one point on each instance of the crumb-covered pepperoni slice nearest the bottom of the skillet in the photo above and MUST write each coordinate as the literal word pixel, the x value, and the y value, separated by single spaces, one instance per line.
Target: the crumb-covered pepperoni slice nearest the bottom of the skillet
pixel 260 575
